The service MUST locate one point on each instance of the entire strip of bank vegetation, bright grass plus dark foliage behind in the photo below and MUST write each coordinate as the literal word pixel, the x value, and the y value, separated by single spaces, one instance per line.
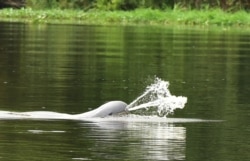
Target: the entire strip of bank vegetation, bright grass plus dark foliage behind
pixel 154 12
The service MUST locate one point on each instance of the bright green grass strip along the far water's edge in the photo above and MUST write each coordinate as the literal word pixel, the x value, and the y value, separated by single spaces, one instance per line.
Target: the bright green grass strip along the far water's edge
pixel 209 17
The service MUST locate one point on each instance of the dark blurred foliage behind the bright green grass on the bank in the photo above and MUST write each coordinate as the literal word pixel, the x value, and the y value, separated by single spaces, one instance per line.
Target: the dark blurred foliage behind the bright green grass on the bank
pixel 229 5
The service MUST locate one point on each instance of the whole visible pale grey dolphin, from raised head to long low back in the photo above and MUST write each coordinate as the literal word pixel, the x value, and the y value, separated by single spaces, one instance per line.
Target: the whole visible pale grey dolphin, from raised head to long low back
pixel 109 108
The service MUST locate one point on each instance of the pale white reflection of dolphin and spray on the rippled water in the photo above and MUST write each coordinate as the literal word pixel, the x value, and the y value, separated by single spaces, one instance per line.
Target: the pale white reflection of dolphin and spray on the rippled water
pixel 143 140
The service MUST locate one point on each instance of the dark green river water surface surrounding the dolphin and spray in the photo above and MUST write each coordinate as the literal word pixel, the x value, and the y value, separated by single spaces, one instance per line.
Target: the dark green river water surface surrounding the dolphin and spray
pixel 72 69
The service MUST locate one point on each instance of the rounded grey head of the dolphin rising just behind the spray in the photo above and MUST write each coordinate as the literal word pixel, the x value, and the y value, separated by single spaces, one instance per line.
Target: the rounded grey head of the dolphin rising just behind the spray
pixel 109 108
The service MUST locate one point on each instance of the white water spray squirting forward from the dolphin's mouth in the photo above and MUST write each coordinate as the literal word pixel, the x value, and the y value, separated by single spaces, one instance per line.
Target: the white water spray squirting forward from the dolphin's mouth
pixel 158 96
